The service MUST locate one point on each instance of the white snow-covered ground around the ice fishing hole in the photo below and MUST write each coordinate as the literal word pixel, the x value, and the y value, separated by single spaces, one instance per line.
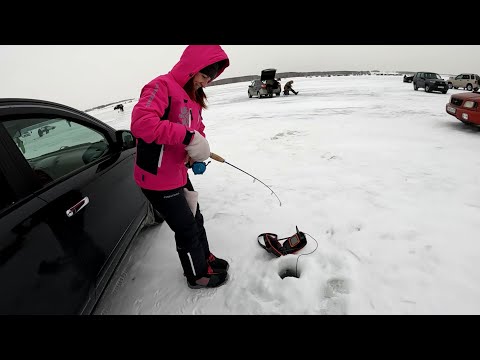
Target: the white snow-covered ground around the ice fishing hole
pixel 378 174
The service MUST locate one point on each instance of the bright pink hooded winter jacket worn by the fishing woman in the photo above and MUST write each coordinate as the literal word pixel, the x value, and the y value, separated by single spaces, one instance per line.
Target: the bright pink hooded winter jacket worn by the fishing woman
pixel 163 115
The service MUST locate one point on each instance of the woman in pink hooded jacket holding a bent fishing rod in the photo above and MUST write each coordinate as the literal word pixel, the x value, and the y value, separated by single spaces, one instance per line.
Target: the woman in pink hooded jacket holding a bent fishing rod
pixel 167 122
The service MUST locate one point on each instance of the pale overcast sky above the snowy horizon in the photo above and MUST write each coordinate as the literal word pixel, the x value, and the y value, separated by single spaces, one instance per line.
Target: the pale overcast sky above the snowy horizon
pixel 85 76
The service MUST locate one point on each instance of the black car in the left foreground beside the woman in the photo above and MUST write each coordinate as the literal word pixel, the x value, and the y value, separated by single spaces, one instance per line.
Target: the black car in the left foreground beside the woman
pixel 69 207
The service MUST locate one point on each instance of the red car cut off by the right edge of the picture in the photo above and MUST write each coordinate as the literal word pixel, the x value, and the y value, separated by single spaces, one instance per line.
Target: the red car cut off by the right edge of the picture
pixel 465 107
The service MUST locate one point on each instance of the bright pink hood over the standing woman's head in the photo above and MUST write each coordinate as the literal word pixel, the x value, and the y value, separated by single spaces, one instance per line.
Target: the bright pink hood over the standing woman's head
pixel 195 58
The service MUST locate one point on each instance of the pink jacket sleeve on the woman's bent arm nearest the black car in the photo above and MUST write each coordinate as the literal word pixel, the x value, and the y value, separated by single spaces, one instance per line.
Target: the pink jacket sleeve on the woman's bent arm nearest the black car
pixel 146 121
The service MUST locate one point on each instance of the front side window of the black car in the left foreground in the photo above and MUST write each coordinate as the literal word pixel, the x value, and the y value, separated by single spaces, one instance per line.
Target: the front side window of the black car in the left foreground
pixel 56 147
